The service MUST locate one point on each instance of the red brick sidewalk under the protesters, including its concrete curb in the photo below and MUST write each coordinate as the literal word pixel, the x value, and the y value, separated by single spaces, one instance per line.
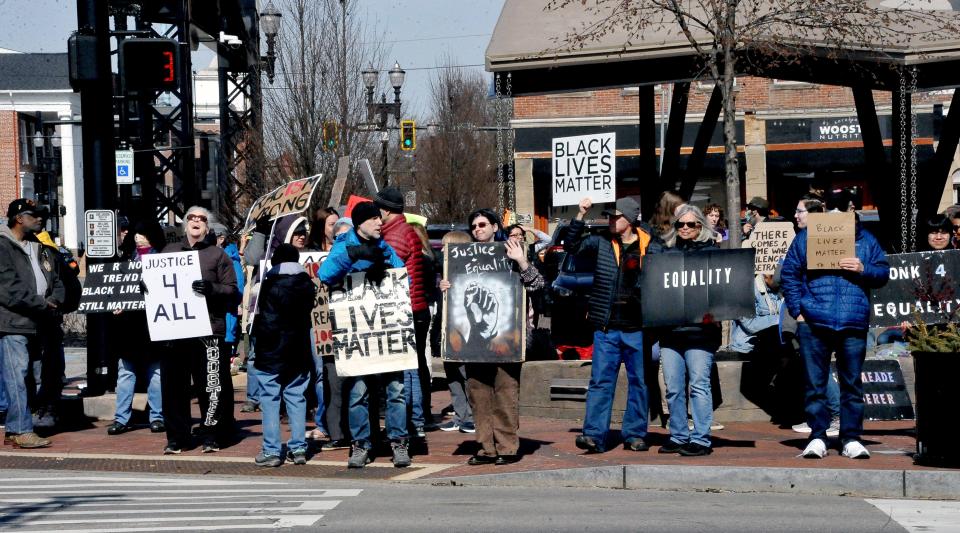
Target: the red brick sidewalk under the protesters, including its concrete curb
pixel 748 457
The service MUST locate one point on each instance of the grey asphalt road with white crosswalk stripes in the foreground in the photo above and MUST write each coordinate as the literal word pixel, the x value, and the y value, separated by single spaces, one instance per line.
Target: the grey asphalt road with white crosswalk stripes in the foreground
pixel 85 502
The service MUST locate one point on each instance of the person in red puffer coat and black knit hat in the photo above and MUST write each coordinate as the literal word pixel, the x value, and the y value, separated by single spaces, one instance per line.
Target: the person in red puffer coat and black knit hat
pixel 405 241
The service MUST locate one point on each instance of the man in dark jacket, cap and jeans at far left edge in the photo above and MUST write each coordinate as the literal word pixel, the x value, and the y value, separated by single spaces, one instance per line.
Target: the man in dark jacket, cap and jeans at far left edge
pixel 29 291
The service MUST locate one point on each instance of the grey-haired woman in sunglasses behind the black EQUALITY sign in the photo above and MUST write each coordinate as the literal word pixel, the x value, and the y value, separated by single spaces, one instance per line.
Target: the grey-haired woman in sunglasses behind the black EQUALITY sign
pixel 687 351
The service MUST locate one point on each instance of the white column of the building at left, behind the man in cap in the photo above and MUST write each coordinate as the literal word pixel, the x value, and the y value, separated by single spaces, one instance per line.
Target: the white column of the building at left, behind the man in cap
pixel 71 152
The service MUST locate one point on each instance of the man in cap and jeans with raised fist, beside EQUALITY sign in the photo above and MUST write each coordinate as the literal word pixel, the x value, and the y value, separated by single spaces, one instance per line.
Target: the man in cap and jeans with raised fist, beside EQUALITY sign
pixel 615 315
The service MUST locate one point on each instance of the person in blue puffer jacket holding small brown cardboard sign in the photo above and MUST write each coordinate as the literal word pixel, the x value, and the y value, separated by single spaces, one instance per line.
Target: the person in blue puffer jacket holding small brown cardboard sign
pixel 835 307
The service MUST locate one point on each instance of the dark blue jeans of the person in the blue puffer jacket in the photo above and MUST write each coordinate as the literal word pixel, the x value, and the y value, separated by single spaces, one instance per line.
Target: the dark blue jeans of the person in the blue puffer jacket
pixel 850 346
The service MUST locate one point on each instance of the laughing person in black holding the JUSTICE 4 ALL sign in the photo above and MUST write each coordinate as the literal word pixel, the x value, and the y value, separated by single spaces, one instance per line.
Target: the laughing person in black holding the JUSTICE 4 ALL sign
pixel 206 358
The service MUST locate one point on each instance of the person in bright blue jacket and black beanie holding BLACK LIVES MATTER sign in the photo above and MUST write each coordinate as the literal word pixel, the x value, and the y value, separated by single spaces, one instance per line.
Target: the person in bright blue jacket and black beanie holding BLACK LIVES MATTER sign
pixel 364 250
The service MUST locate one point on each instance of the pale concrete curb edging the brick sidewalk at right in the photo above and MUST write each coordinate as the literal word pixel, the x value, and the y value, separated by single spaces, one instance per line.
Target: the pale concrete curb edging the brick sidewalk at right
pixel 923 484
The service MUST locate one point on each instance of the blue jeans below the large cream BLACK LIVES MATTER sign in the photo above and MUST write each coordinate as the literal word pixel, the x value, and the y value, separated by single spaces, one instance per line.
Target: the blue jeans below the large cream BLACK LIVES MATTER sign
pixel 359 410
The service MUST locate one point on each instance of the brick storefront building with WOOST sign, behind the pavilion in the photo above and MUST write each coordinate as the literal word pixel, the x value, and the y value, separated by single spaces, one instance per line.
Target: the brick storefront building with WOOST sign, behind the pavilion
pixel 792 137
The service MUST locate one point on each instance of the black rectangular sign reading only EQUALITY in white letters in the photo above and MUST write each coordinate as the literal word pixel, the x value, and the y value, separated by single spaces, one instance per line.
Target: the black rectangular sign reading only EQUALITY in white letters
pixel 697 288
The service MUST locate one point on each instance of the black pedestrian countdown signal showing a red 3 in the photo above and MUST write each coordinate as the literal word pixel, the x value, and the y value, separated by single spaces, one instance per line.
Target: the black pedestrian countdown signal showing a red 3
pixel 149 64
